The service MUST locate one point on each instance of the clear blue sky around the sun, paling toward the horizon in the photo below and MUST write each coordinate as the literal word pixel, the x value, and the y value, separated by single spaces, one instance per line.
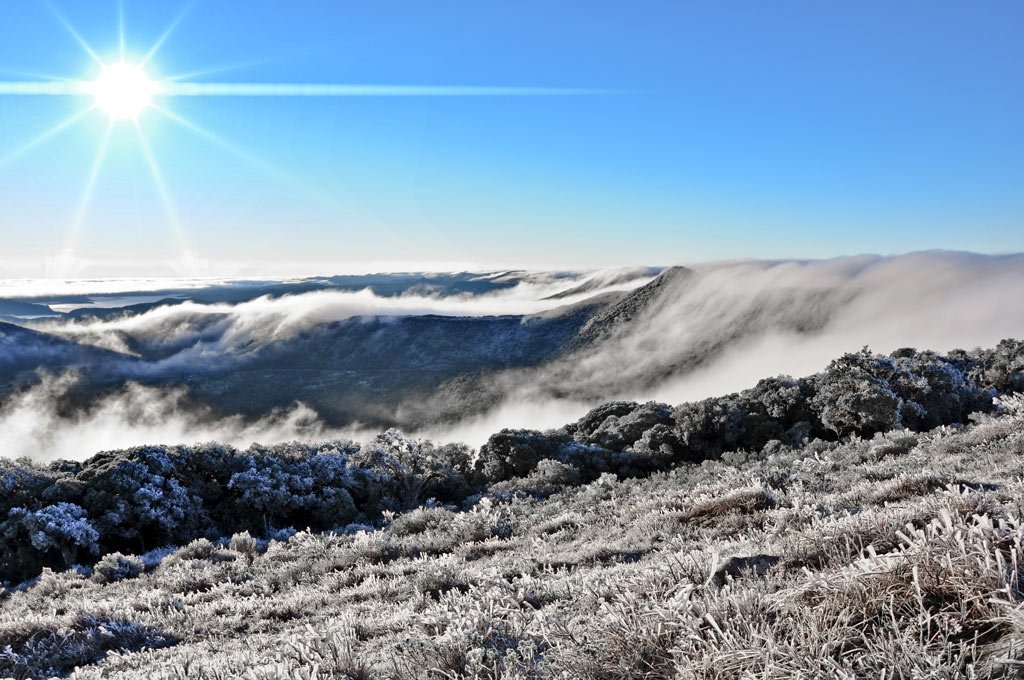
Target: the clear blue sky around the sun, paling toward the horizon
pixel 741 130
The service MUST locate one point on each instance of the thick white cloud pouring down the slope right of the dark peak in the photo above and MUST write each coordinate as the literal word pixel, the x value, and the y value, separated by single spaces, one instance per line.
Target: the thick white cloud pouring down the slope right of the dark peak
pixel 726 326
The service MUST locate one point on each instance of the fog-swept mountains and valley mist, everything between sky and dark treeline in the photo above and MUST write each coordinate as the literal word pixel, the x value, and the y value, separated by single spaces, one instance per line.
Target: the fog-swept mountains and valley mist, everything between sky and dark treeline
pixel 535 353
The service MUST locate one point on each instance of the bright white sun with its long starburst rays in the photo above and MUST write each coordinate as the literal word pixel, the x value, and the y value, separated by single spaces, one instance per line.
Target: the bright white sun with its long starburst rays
pixel 123 91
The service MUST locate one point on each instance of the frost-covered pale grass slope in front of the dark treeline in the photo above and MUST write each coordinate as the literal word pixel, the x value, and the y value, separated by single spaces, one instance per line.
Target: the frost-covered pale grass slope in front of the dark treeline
pixel 897 557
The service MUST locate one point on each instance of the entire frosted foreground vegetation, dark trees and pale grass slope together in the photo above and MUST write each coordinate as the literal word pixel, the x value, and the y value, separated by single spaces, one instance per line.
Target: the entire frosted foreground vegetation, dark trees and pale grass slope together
pixel 865 522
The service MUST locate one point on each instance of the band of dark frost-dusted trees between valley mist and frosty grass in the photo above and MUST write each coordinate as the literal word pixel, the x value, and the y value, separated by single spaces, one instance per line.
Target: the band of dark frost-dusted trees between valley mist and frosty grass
pixel 145 498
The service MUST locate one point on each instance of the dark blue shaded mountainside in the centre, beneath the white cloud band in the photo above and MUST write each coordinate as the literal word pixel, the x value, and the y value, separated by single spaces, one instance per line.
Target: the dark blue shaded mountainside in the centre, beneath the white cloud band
pixel 366 369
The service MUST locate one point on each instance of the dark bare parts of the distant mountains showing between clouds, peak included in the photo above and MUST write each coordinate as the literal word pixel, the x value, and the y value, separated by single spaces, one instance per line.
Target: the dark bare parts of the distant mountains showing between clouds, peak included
pixel 379 371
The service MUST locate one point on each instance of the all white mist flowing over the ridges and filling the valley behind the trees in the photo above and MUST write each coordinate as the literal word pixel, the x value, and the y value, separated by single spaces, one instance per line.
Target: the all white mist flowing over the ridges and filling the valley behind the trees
pixel 711 329
